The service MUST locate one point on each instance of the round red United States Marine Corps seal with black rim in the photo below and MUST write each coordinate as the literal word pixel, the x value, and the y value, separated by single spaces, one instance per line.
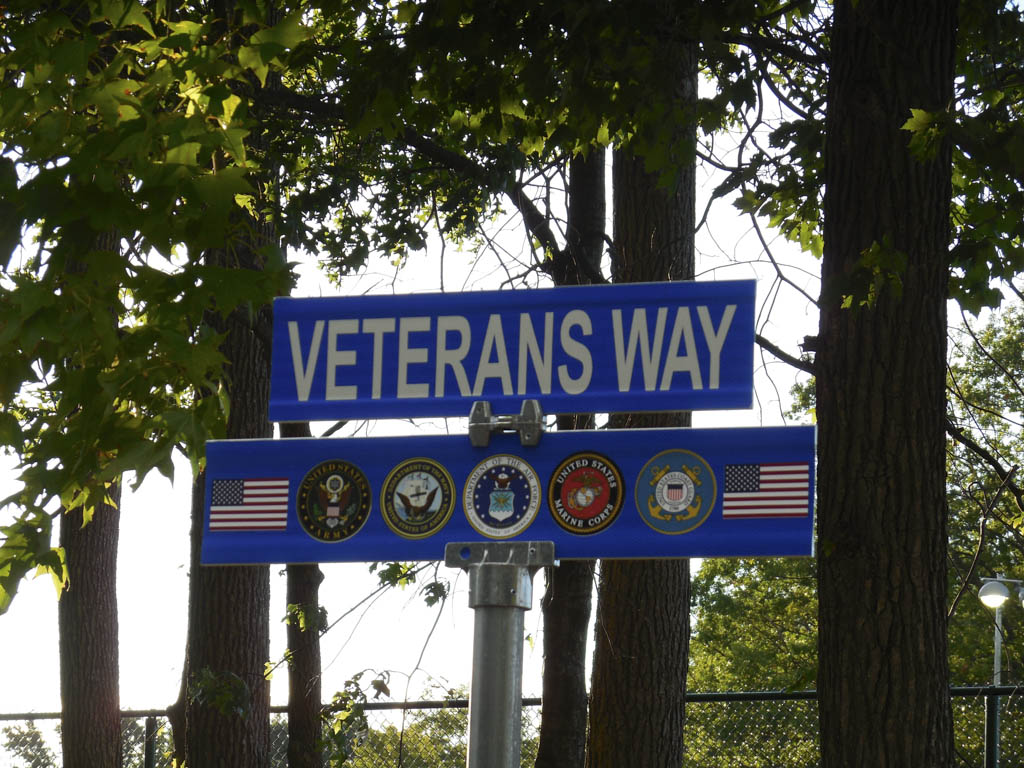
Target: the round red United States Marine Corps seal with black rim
pixel 586 493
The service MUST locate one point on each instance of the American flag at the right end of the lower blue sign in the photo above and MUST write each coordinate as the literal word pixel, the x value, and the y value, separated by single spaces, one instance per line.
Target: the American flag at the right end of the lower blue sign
pixel 766 490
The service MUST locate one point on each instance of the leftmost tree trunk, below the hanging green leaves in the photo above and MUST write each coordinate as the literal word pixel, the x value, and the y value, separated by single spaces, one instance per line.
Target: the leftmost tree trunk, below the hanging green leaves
pixel 88 620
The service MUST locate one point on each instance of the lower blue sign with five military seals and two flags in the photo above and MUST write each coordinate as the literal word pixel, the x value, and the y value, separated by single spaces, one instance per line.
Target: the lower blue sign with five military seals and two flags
pixel 625 494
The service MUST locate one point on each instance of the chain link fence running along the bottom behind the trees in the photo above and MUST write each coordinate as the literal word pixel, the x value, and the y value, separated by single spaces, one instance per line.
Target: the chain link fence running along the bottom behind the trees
pixel 723 731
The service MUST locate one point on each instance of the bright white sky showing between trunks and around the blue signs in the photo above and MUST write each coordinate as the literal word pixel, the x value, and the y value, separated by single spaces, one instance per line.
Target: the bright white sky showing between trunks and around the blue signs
pixel 393 632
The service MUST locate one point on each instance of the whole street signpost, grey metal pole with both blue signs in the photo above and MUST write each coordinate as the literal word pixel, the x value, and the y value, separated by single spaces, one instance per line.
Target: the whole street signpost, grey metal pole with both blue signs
pixel 513 499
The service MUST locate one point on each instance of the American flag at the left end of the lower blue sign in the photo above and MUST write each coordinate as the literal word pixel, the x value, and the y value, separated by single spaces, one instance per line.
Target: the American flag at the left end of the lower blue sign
pixel 249 505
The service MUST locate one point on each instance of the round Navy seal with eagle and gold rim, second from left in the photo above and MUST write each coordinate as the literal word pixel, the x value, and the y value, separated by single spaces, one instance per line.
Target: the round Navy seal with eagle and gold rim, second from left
pixel 418 498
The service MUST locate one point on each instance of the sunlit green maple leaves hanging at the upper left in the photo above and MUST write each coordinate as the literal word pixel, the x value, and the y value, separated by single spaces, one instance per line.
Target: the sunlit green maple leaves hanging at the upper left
pixel 118 118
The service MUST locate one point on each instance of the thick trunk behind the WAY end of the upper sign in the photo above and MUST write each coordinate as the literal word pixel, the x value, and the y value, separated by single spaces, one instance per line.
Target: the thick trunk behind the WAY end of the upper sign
pixel 643 633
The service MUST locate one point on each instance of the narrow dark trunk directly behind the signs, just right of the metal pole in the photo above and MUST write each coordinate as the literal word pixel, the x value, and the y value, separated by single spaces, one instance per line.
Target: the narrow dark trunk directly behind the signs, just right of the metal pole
pixel 567 603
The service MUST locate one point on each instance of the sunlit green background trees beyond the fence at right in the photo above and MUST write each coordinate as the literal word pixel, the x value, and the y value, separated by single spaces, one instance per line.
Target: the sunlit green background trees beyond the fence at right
pixel 756 620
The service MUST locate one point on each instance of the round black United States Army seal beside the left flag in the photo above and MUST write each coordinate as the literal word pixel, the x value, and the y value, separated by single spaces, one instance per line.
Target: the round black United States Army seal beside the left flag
pixel 334 501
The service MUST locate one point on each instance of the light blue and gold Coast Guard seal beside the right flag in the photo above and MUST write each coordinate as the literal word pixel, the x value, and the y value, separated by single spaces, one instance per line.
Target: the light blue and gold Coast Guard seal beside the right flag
pixel 676 492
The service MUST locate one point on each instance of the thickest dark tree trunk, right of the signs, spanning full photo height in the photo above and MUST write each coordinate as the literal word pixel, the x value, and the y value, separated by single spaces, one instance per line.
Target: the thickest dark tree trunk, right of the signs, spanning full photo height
pixel 883 676
